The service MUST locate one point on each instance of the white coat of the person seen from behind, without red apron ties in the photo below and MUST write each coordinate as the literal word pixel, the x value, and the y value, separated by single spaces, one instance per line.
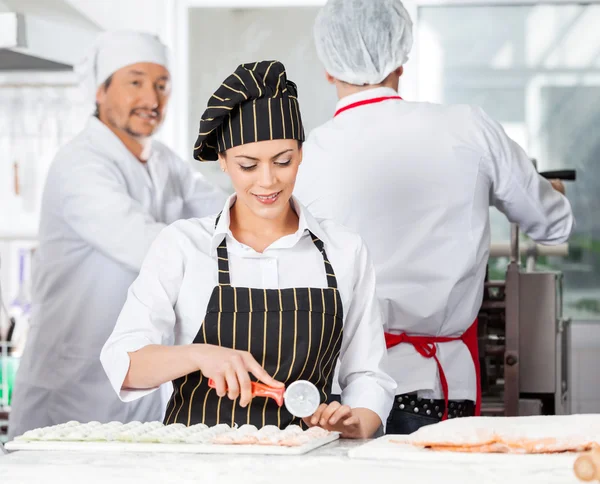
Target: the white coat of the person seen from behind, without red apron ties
pixel 416 181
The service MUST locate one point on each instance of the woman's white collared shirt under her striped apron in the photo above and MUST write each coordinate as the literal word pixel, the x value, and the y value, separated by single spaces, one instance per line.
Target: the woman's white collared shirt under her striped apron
pixel 168 300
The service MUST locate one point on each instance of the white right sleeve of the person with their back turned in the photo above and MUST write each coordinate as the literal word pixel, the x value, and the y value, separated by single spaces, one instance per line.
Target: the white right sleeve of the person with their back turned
pixel 518 191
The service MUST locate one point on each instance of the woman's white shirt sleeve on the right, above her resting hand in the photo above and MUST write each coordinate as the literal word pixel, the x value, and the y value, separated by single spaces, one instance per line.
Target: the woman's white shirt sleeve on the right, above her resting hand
pixel 363 356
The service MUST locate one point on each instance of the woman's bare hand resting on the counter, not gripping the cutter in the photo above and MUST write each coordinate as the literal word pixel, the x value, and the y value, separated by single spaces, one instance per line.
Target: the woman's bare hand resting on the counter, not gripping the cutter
pixel 336 417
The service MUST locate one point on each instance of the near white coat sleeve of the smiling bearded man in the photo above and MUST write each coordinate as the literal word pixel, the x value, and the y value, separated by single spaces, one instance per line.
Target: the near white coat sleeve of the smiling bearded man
pixel 97 207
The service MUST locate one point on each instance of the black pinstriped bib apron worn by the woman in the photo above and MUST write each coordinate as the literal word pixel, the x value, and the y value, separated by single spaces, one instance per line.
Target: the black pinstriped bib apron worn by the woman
pixel 294 333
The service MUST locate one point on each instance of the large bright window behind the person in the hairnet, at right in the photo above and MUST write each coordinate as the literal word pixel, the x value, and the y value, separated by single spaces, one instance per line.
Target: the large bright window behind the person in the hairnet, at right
pixel 536 69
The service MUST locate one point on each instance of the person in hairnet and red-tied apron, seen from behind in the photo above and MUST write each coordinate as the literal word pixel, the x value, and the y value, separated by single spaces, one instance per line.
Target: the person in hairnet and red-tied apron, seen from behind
pixel 416 181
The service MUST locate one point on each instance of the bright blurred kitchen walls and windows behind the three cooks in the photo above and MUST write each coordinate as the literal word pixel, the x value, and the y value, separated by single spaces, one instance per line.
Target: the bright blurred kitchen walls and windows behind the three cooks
pixel 537 71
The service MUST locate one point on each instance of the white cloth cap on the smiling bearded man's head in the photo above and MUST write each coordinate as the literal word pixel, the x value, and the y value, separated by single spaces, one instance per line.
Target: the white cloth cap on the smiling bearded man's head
pixel 114 50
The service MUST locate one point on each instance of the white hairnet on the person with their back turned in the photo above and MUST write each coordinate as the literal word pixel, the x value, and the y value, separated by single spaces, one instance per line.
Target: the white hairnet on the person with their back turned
pixel 363 41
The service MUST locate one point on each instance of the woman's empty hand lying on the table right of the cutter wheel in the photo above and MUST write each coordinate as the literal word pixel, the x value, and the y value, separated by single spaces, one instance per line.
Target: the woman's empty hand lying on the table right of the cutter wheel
pixel 352 423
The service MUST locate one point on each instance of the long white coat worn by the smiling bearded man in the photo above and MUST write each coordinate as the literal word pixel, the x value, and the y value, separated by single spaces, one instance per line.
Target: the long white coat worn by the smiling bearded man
pixel 101 210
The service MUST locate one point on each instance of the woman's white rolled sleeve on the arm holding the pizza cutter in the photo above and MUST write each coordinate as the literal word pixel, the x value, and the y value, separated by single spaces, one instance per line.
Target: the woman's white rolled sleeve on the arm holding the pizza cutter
pixel 148 316
